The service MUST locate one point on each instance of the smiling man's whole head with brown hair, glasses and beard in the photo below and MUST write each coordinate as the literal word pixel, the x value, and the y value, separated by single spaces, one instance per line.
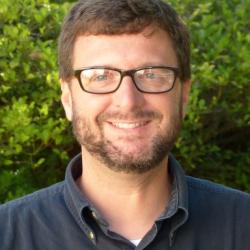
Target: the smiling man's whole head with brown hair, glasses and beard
pixel 133 127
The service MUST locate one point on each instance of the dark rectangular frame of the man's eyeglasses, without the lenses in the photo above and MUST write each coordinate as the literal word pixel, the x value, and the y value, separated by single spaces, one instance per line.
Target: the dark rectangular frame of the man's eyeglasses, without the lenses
pixel 131 73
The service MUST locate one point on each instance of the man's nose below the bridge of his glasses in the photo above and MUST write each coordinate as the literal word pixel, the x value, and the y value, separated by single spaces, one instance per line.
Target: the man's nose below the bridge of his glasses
pixel 127 96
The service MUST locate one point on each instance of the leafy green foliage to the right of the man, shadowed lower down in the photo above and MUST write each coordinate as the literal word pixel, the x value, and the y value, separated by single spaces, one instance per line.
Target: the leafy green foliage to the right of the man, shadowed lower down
pixel 215 141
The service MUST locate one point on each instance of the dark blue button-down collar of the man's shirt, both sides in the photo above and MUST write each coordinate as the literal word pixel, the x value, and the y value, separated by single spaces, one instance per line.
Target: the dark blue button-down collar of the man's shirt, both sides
pixel 177 207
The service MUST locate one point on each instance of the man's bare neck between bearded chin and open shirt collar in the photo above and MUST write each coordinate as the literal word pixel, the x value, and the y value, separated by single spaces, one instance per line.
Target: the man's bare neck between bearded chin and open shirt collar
pixel 129 202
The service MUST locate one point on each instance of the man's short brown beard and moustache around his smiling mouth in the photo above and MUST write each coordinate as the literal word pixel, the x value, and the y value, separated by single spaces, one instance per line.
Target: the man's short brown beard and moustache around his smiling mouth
pixel 117 159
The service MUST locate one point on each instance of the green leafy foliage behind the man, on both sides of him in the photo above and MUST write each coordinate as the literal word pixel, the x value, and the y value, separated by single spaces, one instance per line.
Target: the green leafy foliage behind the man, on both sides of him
pixel 36 140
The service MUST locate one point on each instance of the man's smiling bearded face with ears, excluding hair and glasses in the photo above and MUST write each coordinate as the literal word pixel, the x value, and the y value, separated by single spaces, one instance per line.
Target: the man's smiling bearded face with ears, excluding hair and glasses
pixel 127 130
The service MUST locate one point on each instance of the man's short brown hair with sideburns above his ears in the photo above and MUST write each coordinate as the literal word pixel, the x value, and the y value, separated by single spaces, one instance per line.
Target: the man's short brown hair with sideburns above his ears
pixel 111 17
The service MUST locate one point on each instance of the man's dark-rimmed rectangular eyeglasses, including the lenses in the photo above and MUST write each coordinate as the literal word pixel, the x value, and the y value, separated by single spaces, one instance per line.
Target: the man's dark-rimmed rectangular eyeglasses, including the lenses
pixel 104 80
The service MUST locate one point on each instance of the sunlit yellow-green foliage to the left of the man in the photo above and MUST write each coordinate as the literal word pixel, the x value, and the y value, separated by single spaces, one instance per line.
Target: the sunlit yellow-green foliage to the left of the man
pixel 34 137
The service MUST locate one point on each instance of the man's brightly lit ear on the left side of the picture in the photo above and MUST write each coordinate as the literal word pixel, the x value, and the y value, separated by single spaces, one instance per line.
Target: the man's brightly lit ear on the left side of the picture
pixel 66 99
